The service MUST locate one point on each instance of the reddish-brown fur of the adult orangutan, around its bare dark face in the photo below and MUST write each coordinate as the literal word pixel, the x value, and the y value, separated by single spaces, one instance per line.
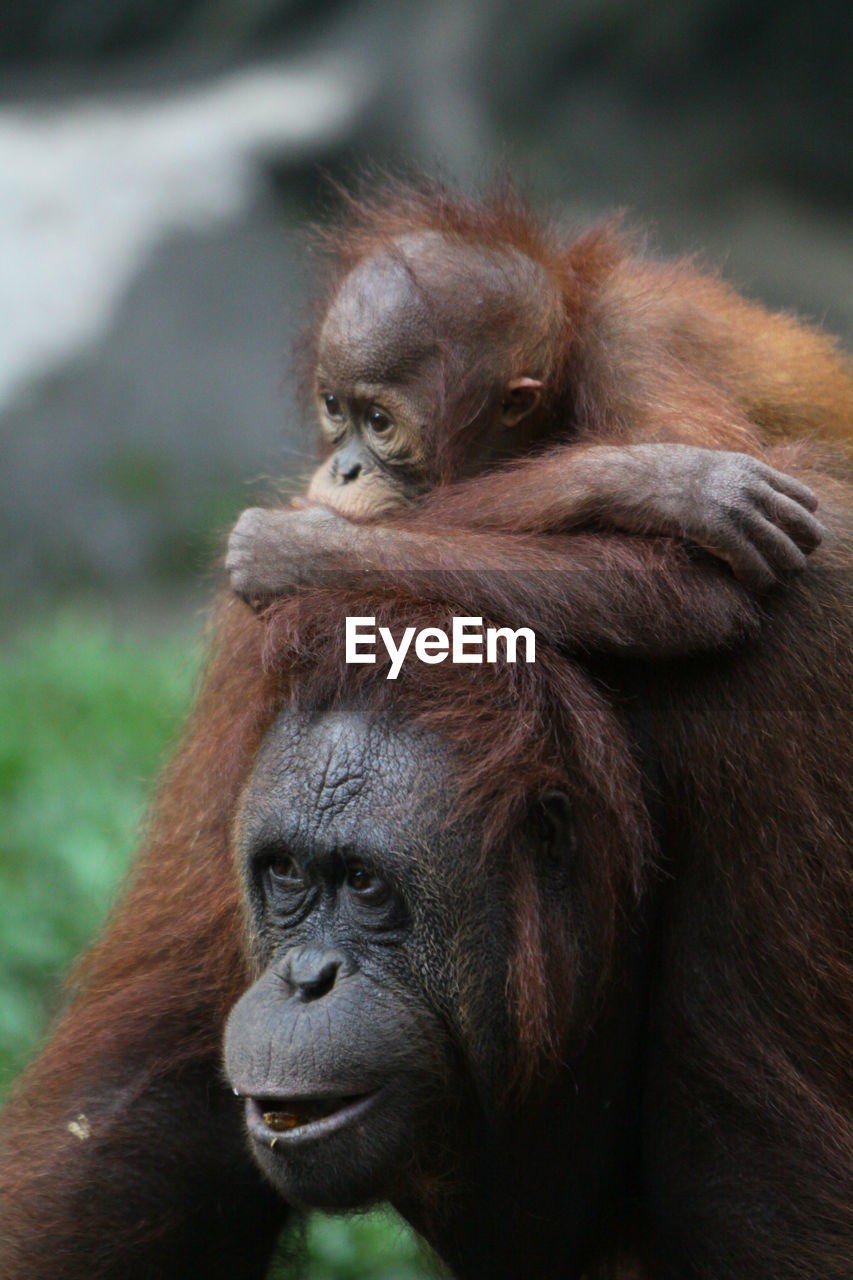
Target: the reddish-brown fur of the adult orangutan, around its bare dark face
pixel 754 829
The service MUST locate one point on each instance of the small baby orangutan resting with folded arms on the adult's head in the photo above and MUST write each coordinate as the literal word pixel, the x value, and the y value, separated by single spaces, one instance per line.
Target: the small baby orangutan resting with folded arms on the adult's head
pixel 481 386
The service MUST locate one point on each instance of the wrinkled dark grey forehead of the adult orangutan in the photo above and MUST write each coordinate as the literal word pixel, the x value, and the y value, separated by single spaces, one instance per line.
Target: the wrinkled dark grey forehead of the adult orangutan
pixel 348 779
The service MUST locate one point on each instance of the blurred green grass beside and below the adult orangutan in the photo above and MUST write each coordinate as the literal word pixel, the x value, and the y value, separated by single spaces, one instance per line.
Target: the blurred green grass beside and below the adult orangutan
pixel 88 716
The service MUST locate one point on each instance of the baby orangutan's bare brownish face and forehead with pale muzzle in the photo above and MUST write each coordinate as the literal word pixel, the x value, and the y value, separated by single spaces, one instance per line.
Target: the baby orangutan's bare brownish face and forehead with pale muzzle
pixel 410 331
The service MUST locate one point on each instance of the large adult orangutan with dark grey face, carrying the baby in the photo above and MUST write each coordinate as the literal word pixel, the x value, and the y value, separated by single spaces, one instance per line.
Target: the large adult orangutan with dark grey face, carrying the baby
pixel 594 913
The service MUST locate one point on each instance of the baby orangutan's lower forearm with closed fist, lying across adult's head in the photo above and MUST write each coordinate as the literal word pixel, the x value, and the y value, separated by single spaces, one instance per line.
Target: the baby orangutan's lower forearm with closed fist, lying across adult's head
pixel 615 595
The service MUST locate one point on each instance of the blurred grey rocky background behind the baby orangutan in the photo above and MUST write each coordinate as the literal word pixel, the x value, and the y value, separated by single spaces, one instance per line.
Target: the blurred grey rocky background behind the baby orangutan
pixel 161 159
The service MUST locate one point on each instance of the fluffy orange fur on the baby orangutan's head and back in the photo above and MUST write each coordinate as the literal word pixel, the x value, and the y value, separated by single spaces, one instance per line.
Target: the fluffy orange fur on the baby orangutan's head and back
pixel 650 351
